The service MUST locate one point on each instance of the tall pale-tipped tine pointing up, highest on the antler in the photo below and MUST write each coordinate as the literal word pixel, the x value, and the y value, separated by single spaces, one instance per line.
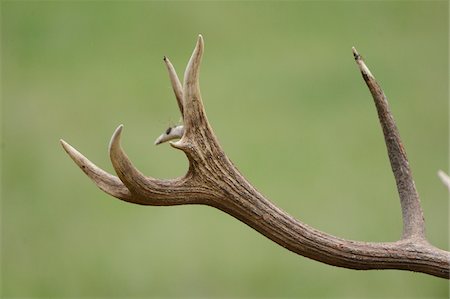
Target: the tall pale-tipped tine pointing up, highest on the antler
pixel 194 113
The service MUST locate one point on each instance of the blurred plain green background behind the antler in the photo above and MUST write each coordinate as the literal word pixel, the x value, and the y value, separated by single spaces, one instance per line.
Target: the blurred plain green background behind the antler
pixel 288 105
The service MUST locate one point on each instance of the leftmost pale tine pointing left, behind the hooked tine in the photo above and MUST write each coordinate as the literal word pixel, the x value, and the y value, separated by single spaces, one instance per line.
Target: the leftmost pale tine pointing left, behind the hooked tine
pixel 106 182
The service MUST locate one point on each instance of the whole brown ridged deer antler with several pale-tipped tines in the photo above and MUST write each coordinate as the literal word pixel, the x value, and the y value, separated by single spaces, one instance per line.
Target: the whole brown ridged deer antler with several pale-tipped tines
pixel 213 180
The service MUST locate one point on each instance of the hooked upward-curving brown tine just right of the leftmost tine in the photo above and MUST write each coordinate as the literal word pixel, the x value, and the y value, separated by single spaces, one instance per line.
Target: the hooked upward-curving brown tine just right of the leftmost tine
pixel 150 191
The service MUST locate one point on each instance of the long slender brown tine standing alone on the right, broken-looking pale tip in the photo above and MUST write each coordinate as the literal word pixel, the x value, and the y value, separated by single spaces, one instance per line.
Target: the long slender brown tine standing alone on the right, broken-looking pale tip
pixel 413 221
